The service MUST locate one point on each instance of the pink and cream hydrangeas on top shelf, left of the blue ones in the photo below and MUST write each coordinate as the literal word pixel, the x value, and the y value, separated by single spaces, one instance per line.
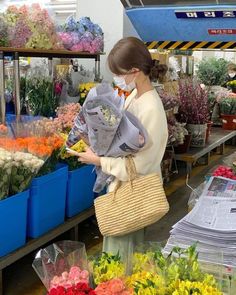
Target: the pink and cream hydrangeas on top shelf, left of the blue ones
pixel 31 27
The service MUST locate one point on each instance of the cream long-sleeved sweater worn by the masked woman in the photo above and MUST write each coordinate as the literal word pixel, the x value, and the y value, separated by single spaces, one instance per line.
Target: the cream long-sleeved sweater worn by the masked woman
pixel 148 108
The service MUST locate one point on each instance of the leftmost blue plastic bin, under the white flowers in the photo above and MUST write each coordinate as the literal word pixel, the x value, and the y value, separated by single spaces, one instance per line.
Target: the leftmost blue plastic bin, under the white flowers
pixel 13 216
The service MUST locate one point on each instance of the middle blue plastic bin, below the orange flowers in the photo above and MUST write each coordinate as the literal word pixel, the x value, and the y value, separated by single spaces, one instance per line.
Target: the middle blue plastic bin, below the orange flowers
pixel 47 202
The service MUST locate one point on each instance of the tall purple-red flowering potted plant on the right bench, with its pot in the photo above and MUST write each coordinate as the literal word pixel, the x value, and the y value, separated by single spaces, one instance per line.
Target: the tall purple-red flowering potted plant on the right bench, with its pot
pixel 193 110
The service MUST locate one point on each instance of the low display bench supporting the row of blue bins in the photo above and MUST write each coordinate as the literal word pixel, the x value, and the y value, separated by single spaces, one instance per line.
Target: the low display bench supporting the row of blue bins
pixel 32 245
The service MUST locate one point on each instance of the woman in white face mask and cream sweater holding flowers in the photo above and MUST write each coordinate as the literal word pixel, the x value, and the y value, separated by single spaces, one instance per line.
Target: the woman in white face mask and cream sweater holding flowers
pixel 131 64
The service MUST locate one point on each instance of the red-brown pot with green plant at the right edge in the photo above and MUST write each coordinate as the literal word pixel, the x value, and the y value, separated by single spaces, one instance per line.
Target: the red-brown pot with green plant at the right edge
pixel 228 112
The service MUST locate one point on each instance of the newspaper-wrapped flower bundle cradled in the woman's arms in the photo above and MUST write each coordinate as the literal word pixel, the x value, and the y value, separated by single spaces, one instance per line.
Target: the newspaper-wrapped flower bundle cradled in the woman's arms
pixel 110 130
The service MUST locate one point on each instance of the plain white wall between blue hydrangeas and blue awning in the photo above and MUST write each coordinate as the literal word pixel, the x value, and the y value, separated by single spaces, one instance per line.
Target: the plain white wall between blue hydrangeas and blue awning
pixel 109 15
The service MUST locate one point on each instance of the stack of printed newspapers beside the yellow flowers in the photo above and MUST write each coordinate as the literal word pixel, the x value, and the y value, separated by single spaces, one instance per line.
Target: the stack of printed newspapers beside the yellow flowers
pixel 212 224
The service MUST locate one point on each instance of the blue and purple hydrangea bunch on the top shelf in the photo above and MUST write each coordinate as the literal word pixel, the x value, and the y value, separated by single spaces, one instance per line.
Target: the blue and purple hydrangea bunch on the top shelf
pixel 81 35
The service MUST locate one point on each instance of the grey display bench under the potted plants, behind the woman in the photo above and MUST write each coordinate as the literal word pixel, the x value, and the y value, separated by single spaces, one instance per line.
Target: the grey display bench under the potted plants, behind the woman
pixel 218 138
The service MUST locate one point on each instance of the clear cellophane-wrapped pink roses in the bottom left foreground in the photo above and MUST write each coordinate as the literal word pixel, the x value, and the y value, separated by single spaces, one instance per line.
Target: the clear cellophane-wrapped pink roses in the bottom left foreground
pixel 62 265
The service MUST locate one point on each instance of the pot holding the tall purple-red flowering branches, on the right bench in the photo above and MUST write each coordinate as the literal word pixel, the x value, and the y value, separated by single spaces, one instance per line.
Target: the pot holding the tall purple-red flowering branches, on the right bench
pixel 198 132
